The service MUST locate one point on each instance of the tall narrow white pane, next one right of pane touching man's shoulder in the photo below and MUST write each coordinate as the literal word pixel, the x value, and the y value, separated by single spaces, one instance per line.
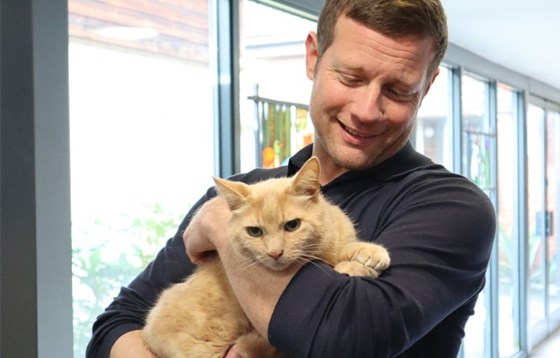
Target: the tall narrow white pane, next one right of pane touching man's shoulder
pixel 508 239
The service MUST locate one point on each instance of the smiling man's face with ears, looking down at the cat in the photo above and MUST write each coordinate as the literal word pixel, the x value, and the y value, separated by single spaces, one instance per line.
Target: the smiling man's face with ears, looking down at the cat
pixel 367 88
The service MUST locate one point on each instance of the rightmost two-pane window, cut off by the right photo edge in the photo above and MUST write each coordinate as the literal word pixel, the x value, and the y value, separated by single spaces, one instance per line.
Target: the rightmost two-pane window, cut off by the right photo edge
pixel 542 199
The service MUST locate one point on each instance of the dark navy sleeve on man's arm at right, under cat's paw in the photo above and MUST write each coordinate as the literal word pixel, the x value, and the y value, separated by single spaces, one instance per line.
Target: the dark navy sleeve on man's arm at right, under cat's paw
pixel 439 234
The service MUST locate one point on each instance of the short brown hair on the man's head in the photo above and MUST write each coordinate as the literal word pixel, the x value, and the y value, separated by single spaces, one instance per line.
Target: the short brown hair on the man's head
pixel 389 17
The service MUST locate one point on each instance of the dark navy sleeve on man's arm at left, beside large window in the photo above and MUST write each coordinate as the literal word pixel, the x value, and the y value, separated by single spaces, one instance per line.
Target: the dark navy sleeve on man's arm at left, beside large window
pixel 128 310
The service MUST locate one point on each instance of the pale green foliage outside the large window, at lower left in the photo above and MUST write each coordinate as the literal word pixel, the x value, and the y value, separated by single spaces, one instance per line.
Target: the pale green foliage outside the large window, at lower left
pixel 108 256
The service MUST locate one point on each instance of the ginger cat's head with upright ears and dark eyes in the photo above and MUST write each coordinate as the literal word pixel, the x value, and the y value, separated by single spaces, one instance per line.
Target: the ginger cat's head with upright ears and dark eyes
pixel 278 221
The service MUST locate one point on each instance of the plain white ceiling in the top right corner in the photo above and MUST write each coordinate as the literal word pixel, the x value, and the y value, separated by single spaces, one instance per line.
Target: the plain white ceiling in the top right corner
pixel 521 35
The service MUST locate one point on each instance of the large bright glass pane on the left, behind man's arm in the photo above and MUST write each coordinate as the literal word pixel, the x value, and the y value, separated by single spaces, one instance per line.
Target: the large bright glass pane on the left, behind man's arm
pixel 141 138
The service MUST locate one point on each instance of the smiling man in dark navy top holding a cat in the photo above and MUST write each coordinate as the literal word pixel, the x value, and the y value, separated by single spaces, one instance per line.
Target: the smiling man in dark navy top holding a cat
pixel 371 63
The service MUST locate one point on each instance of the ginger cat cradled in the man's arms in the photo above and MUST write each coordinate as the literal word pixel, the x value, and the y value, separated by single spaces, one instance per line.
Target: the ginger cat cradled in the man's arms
pixel 275 223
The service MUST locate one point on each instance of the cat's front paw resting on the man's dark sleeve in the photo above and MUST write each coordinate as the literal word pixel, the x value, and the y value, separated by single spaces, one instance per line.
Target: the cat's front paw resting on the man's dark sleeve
pixel 363 259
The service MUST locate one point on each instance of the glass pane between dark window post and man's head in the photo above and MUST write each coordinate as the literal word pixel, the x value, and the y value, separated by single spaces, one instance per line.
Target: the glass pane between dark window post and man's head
pixel 274 88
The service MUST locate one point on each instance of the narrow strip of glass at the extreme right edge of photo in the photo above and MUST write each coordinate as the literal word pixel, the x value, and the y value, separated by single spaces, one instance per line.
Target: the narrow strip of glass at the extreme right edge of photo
pixel 553 198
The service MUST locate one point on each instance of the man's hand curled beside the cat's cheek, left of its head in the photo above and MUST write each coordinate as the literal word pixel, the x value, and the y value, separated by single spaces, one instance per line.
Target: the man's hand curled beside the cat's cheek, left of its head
pixel 207 230
